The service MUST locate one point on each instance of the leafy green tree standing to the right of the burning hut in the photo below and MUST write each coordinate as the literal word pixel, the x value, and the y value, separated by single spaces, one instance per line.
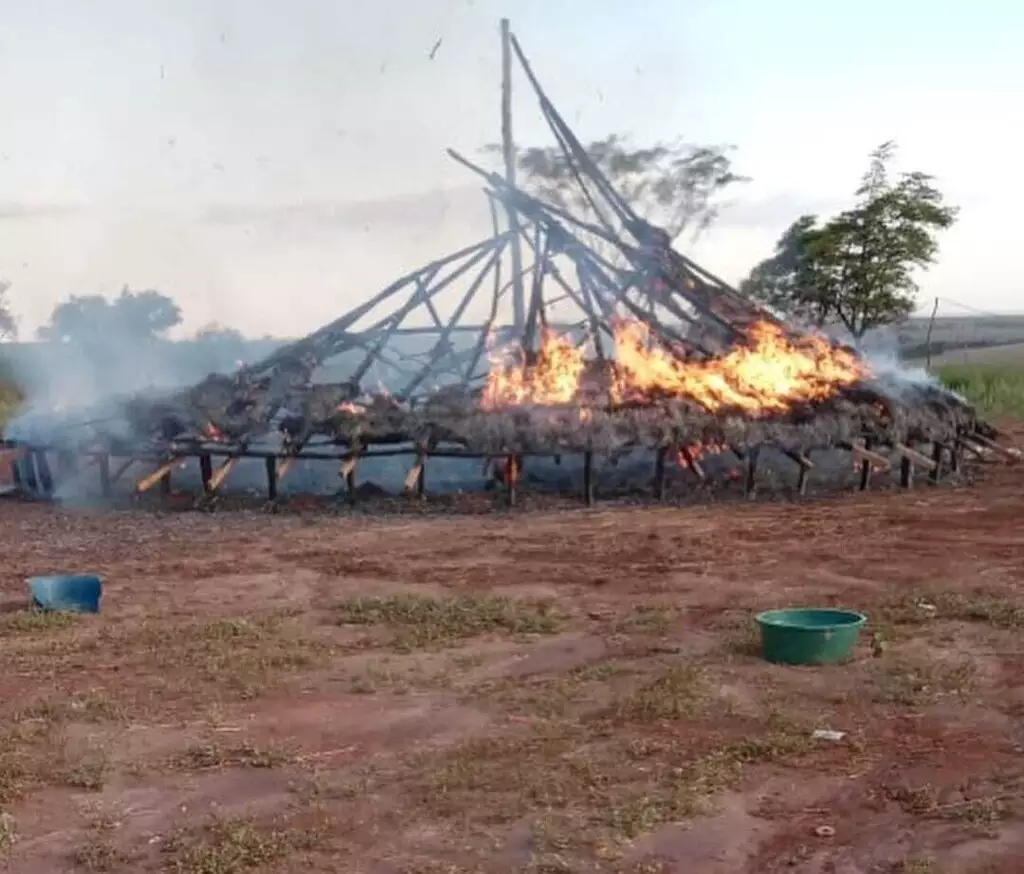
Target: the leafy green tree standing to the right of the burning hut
pixel 859 269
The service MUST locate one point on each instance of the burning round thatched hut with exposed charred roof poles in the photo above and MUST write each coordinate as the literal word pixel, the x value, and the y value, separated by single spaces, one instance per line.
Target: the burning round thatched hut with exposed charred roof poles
pixel 602 357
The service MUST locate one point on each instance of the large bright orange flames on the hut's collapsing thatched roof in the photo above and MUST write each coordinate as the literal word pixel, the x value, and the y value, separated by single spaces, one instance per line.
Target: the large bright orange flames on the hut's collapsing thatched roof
pixel 770 374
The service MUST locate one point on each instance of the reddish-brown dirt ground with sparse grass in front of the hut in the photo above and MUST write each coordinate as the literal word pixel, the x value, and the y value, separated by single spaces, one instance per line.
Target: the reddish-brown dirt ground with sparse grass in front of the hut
pixel 535 692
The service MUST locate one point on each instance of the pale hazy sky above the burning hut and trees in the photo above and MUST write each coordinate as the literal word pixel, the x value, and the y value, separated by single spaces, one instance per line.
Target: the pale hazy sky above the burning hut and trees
pixel 271 164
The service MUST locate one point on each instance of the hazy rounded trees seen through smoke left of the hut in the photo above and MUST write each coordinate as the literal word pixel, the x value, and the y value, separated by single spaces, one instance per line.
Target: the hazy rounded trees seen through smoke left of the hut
pixel 133 317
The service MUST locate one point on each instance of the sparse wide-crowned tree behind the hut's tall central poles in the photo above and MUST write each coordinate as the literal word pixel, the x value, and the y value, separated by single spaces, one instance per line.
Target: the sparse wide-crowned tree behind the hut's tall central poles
pixel 673 186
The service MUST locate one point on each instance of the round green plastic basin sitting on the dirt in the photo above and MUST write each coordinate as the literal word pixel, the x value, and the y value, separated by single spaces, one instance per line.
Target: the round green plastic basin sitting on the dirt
pixel 809 636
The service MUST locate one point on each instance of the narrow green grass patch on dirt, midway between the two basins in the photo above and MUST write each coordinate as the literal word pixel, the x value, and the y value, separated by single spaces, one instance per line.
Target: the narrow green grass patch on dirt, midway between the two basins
pixel 418 622
